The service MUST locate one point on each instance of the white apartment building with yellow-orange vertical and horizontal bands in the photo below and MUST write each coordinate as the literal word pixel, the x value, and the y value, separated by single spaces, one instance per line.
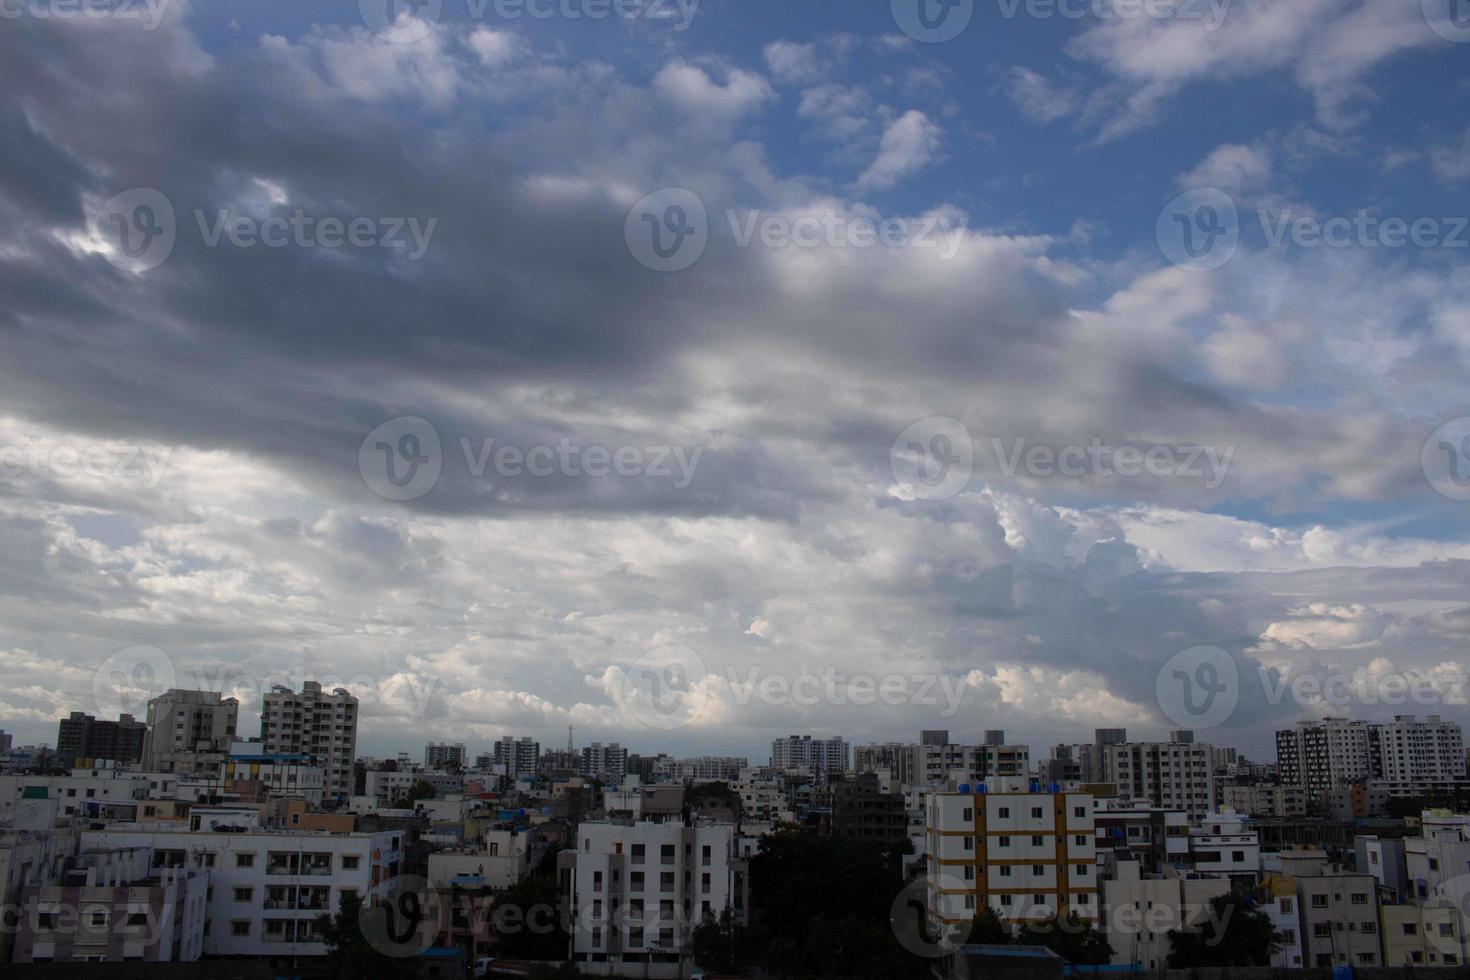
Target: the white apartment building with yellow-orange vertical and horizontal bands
pixel 1024 854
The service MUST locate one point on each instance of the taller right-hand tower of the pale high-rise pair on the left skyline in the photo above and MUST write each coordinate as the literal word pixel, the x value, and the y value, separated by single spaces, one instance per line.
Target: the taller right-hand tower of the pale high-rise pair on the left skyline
pixel 321 727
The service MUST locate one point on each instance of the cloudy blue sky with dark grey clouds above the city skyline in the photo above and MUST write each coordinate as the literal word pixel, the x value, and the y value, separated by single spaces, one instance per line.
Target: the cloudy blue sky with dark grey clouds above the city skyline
pixel 699 374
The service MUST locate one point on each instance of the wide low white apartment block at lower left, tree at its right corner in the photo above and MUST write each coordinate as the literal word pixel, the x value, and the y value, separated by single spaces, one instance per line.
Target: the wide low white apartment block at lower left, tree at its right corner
pixel 267 887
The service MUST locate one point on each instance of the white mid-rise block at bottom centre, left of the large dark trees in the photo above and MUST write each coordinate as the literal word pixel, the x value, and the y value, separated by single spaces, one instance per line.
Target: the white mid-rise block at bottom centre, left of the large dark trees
pixel 634 894
